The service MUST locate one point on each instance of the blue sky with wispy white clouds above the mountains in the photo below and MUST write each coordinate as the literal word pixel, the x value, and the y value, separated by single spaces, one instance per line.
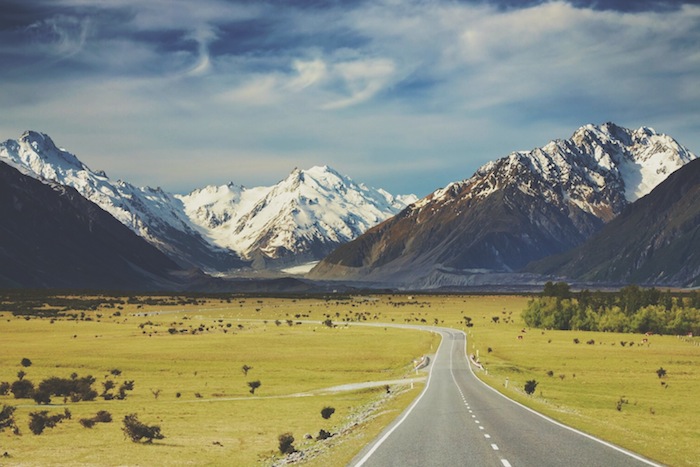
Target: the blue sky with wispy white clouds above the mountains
pixel 407 95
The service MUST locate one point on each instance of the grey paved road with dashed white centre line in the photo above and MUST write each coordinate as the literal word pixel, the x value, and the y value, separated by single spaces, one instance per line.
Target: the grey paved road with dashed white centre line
pixel 459 421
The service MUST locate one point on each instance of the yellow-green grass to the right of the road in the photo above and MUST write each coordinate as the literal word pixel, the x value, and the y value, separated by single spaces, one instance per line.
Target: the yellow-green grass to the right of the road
pixel 660 421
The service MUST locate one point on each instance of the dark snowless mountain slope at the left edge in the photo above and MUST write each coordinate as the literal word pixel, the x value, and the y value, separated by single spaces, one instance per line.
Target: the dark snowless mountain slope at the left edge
pixel 50 236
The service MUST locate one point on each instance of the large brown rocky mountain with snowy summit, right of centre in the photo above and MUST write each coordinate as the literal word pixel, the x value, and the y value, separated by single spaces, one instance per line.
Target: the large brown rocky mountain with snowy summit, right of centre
pixel 523 207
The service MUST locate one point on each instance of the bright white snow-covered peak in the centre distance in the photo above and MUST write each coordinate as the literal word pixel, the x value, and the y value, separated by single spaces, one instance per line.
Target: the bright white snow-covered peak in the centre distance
pixel 302 218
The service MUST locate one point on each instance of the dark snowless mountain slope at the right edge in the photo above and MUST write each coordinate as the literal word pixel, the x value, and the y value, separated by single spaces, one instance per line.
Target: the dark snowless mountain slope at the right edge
pixel 656 240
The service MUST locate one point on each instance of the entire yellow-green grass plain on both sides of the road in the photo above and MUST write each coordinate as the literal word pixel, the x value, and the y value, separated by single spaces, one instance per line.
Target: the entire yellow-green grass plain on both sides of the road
pixel 198 352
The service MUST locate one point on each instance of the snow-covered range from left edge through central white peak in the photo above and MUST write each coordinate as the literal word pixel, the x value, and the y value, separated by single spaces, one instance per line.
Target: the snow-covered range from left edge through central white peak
pixel 219 229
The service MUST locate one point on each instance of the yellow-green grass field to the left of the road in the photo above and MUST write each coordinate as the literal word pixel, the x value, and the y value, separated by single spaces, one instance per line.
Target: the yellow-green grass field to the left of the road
pixel 215 420
